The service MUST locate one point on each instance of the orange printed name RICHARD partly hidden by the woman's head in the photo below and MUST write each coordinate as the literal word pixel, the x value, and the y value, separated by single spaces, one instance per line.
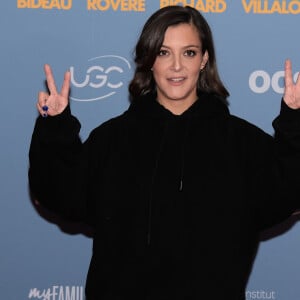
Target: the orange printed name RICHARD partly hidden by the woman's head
pixel 214 6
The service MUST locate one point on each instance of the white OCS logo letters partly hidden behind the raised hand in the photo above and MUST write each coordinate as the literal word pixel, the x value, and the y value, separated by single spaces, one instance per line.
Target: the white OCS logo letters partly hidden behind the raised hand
pixel 260 81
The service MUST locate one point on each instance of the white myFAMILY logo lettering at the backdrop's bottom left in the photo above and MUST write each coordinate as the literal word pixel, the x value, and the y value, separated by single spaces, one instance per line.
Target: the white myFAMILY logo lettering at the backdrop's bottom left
pixel 57 292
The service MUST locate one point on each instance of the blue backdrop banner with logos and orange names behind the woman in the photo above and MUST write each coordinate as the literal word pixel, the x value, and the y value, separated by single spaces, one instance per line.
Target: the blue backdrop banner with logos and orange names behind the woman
pixel 46 258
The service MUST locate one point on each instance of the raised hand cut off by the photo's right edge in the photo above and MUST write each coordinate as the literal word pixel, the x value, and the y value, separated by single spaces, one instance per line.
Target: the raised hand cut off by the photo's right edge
pixel 291 90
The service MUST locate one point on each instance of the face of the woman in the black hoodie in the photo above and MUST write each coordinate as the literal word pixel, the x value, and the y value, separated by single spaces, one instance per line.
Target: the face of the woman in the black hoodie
pixel 177 66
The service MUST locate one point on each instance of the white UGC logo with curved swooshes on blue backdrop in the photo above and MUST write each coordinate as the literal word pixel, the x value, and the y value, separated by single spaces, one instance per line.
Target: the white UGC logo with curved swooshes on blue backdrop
pixel 100 78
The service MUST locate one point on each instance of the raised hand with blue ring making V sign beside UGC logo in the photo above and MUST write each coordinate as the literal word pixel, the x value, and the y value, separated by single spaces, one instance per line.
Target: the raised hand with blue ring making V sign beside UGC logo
pixel 54 103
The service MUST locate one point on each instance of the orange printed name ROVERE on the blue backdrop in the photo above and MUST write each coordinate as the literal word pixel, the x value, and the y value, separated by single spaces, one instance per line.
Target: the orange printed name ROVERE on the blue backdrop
pixel 120 5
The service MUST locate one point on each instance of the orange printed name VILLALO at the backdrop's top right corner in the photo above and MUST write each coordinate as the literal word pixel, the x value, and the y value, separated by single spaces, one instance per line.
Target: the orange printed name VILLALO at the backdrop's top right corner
pixel 271 7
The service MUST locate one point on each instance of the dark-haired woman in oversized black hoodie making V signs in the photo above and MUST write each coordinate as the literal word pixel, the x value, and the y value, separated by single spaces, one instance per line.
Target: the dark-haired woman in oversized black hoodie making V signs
pixel 176 189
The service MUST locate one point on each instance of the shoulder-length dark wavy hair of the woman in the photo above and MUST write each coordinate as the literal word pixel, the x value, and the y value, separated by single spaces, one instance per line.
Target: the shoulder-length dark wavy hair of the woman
pixel 151 40
